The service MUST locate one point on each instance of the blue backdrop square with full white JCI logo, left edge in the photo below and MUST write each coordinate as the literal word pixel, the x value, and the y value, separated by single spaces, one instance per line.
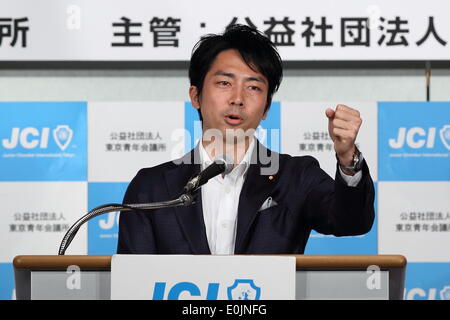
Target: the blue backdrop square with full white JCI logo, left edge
pixel 43 141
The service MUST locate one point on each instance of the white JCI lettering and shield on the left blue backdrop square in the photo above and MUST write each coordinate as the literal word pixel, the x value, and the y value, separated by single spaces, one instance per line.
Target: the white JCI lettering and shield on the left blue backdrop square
pixel 31 138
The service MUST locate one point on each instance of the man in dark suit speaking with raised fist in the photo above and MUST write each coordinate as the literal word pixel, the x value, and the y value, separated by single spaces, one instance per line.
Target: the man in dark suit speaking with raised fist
pixel 269 202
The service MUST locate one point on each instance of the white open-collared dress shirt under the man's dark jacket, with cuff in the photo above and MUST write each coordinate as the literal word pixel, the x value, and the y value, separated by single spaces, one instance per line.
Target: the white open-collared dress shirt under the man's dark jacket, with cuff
pixel 220 200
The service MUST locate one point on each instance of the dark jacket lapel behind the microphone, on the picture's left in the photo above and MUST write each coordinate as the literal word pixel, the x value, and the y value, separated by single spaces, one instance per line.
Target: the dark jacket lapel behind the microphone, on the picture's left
pixel 190 218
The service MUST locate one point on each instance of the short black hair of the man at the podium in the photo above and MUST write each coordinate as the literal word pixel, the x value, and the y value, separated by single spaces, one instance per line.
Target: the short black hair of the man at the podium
pixel 258 52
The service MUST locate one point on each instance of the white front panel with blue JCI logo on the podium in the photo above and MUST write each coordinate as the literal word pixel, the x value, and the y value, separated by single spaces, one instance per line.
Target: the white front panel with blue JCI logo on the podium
pixel 179 277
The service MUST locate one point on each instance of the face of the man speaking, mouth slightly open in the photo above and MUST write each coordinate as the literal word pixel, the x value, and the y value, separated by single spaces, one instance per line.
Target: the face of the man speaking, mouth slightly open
pixel 233 97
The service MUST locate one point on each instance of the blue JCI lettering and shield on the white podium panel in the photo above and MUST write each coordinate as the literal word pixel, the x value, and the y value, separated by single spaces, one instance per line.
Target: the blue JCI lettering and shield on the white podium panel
pixel 241 289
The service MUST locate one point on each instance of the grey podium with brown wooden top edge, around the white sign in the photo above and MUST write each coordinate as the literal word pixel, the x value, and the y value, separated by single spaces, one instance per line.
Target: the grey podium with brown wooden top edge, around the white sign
pixel 318 277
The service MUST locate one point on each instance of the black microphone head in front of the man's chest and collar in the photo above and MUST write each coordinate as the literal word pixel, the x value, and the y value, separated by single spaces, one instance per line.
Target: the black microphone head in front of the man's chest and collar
pixel 222 164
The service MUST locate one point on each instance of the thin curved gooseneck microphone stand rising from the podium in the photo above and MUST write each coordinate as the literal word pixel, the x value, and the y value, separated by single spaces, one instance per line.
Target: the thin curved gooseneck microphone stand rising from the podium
pixel 184 199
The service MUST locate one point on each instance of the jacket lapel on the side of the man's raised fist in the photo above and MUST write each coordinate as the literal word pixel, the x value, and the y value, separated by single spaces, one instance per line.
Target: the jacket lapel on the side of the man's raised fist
pixel 256 189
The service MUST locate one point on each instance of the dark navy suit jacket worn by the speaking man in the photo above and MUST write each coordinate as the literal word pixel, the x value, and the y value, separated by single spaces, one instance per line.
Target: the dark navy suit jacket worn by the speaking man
pixel 307 199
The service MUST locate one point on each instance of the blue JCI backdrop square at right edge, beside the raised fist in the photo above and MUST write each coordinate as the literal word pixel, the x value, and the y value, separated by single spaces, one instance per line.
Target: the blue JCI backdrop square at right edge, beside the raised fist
pixel 414 141
